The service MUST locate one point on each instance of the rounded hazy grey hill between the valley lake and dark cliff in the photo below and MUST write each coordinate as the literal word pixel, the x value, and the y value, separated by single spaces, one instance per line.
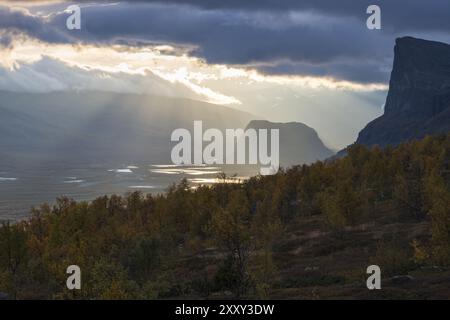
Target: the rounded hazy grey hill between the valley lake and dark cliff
pixel 299 144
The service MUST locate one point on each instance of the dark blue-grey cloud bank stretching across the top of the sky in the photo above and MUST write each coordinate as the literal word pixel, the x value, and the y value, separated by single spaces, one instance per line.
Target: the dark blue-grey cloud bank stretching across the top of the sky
pixel 324 38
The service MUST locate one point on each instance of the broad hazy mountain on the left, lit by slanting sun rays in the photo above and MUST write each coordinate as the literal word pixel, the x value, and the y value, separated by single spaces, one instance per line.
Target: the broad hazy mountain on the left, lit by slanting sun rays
pixel 91 126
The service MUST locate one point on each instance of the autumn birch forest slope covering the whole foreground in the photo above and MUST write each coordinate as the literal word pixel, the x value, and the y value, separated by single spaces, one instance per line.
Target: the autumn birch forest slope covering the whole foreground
pixel 309 232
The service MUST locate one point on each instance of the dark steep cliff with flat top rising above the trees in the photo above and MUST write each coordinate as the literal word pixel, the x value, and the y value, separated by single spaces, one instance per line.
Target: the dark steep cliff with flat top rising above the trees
pixel 418 102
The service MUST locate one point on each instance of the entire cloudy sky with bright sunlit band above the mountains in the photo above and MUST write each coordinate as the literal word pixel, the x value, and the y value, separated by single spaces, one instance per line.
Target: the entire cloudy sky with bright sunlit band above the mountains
pixel 311 61
